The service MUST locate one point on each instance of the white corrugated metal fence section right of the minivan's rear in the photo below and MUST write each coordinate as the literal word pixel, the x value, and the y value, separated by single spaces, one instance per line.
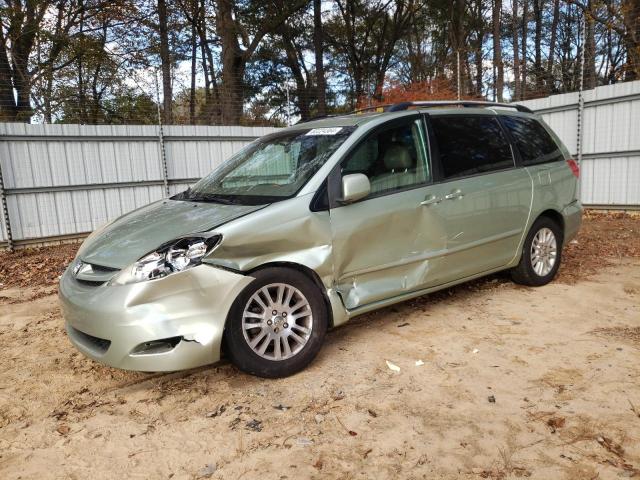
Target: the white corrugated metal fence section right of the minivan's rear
pixel 610 170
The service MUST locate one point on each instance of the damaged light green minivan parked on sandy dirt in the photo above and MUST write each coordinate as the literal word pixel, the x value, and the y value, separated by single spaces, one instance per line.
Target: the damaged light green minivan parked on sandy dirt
pixel 306 228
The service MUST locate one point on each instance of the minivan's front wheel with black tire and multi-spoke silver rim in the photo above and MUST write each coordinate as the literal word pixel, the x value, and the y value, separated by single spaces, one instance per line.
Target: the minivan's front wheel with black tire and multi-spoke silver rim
pixel 277 324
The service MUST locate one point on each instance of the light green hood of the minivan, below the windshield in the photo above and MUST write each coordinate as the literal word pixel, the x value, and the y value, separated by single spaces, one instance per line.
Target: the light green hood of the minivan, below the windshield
pixel 131 236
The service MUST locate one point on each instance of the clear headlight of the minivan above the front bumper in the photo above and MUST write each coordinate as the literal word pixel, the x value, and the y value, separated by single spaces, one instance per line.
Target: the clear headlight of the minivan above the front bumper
pixel 173 257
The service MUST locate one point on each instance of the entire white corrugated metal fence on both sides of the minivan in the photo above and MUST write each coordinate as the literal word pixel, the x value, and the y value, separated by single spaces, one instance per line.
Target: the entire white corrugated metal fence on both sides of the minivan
pixel 63 181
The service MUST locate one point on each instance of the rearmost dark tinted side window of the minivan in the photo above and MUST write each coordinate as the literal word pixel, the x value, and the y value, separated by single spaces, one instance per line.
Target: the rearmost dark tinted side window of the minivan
pixel 532 140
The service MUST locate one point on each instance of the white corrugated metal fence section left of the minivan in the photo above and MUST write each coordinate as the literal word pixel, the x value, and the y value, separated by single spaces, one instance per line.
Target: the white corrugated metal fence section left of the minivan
pixel 69 179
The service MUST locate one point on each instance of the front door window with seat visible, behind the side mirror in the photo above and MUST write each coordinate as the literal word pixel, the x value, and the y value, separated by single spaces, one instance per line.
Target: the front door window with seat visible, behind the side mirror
pixel 393 158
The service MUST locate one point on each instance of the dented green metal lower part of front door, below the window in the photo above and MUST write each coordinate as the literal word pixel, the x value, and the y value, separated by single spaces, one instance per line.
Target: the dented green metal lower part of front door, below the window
pixel 386 246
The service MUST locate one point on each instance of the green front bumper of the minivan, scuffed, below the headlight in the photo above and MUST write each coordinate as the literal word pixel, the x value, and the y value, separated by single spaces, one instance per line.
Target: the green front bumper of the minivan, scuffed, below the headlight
pixel 186 311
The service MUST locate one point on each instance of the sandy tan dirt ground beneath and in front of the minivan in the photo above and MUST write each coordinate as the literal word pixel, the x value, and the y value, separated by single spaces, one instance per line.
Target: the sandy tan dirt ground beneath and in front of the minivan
pixel 511 382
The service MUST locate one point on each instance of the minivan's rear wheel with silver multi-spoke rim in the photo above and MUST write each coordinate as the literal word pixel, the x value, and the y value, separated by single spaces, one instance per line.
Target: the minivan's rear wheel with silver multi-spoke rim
pixel 541 254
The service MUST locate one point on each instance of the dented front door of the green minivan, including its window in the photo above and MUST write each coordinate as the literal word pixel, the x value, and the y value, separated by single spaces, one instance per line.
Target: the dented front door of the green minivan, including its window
pixel 392 241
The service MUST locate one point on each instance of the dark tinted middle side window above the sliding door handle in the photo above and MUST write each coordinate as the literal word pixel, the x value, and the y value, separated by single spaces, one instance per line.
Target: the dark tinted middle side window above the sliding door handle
pixel 471 145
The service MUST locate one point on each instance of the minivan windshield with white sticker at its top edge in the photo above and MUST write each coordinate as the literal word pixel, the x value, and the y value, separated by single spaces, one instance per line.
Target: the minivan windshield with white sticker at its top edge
pixel 270 169
